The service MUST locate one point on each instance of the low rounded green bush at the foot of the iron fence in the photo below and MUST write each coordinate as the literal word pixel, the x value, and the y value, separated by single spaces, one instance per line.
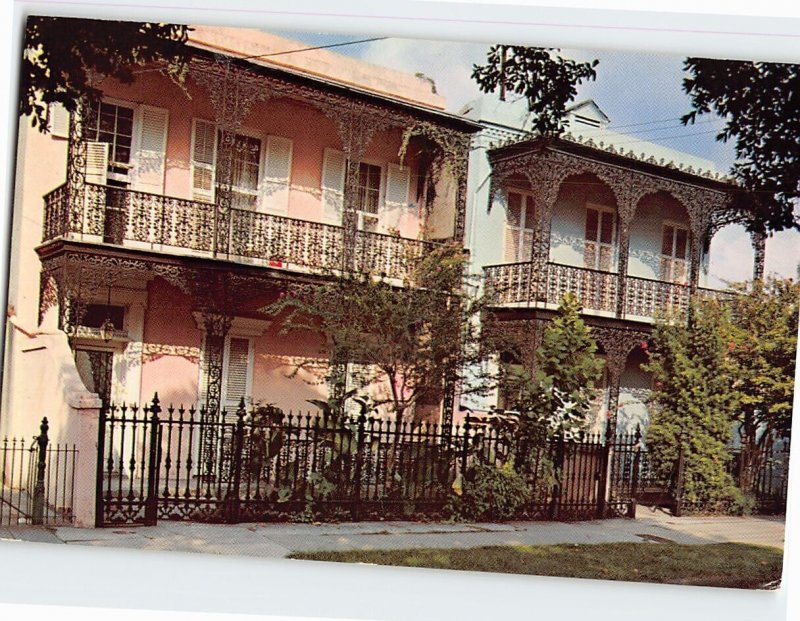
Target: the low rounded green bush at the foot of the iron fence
pixel 491 494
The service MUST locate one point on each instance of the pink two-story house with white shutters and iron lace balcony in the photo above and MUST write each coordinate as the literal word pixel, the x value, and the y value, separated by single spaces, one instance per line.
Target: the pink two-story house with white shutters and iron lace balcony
pixel 173 214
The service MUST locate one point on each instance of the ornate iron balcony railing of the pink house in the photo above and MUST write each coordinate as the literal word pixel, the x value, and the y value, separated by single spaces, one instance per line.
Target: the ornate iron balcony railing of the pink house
pixel 166 224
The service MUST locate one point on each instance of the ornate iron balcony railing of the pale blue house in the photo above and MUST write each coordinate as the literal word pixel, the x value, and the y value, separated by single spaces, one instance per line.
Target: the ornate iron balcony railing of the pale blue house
pixel 515 284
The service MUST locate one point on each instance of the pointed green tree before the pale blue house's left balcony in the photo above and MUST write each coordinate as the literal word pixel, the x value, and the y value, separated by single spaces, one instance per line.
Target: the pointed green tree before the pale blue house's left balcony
pixel 555 389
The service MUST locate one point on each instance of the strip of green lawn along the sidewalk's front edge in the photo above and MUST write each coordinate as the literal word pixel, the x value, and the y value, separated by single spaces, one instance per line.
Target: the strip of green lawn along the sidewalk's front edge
pixel 732 565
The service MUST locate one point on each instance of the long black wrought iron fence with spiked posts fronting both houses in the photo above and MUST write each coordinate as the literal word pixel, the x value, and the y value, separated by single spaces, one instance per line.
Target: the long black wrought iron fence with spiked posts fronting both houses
pixel 266 465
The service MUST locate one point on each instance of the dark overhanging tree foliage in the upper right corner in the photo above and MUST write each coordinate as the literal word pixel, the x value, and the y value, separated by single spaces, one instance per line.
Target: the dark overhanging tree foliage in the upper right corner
pixel 760 103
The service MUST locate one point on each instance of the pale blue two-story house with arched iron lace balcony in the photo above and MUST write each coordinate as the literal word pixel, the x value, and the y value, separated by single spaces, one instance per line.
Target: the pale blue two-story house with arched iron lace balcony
pixel 621 223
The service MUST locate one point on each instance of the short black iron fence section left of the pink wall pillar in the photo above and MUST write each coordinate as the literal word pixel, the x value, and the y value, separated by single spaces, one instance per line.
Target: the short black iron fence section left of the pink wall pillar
pixel 38 480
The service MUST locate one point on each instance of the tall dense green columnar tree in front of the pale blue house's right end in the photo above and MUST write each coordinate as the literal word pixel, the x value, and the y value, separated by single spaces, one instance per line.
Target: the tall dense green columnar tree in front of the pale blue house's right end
pixel 694 405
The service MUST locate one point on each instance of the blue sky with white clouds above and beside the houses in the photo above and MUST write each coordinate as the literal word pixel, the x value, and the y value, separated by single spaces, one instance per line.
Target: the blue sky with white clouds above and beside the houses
pixel 641 93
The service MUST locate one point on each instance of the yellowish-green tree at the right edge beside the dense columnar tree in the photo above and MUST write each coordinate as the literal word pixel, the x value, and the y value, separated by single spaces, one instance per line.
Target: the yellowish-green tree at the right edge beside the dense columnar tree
pixel 762 346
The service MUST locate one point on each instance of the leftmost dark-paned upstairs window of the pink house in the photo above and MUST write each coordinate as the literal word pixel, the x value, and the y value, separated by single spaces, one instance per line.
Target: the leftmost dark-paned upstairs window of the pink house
pixel 112 124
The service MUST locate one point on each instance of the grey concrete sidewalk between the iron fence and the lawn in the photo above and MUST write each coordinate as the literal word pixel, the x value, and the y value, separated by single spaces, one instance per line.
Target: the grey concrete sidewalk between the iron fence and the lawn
pixel 272 540
